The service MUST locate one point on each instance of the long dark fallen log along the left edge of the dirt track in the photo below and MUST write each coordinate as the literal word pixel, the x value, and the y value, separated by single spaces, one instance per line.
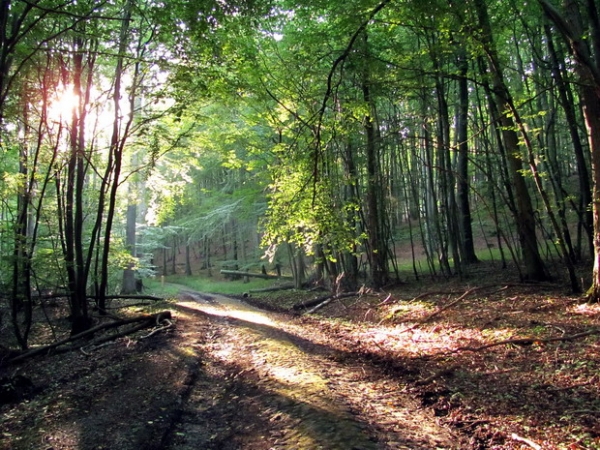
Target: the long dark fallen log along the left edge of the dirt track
pixel 144 321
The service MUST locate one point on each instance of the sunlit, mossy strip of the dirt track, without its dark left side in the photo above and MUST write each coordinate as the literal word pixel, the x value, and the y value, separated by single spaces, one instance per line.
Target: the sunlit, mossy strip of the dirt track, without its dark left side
pixel 336 402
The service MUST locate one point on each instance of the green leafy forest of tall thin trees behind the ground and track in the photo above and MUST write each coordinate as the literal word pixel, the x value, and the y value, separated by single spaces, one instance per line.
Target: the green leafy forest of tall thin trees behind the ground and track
pixel 353 146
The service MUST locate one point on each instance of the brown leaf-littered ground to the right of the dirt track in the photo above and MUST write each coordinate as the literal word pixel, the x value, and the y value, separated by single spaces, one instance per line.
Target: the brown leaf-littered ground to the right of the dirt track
pixel 546 392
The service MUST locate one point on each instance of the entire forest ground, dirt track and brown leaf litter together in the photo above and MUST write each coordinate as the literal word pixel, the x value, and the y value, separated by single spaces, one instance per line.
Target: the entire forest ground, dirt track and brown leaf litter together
pixel 453 365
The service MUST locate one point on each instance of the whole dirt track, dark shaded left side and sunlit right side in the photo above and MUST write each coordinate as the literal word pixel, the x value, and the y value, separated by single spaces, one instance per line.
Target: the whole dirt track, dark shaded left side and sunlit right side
pixel 227 376
